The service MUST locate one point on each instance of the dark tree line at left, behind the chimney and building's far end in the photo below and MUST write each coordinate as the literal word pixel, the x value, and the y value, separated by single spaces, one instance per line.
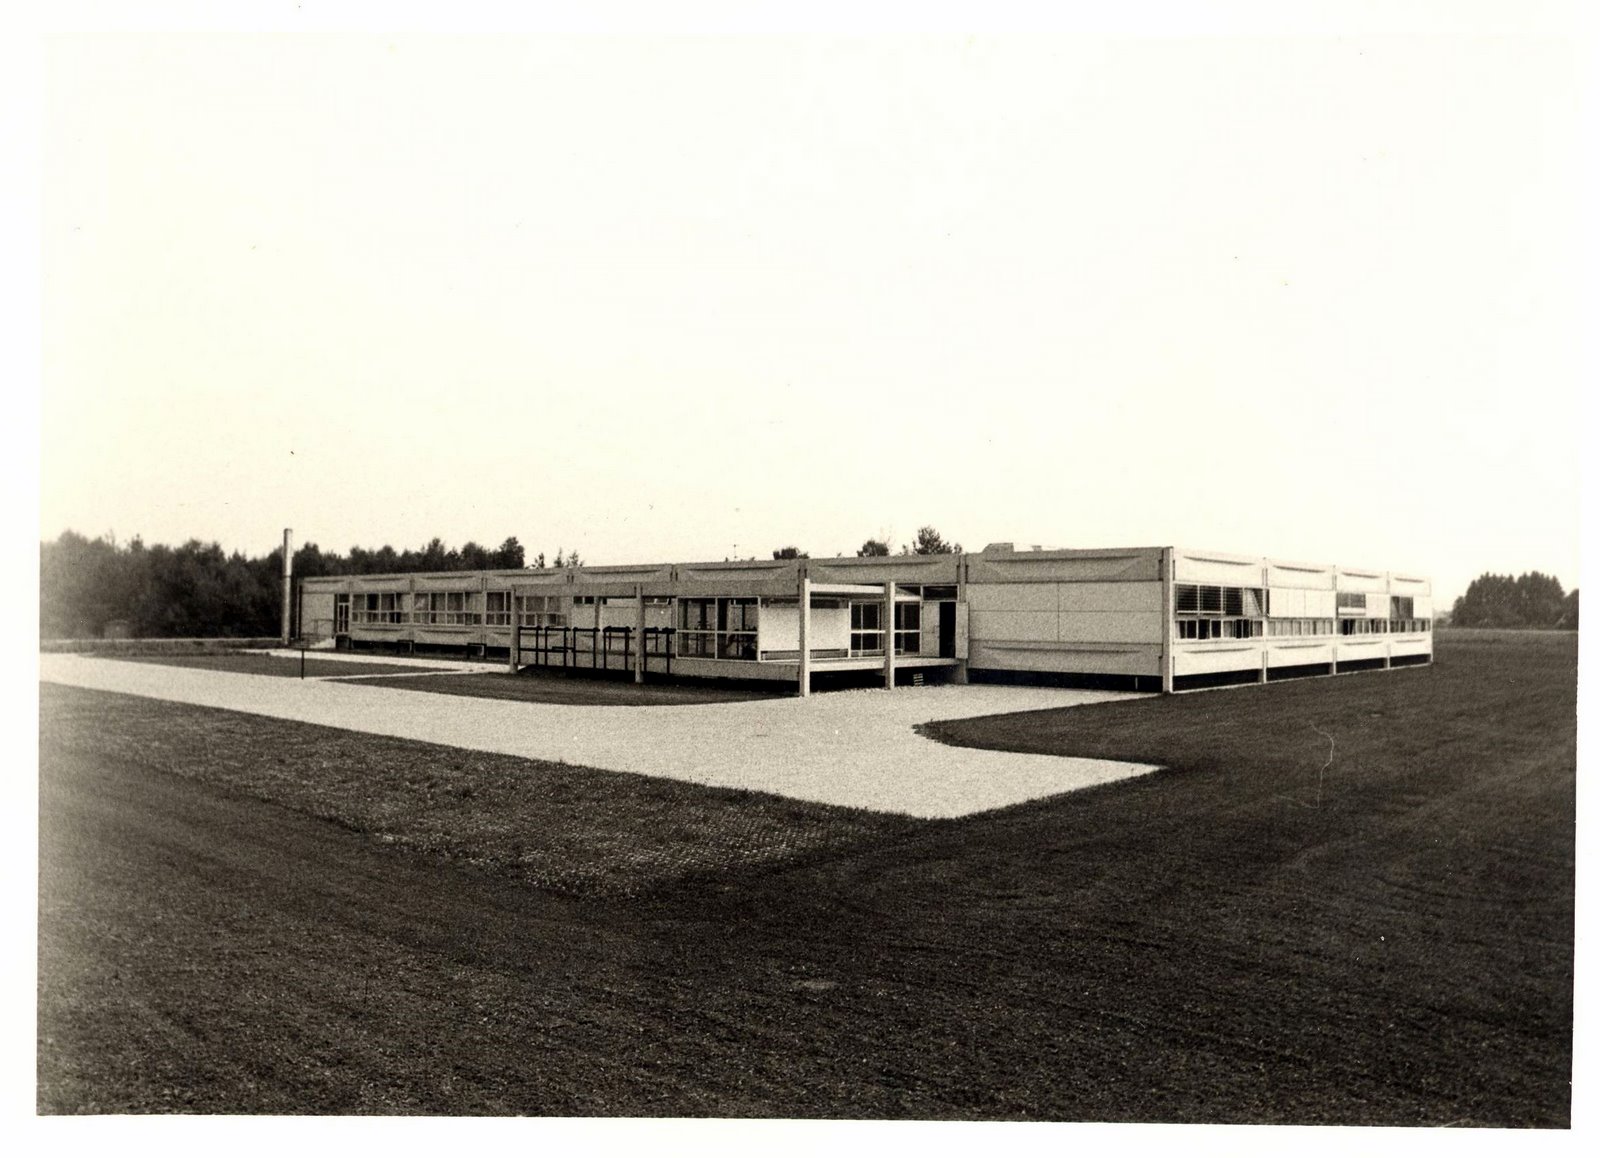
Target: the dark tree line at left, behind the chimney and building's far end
pixel 201 591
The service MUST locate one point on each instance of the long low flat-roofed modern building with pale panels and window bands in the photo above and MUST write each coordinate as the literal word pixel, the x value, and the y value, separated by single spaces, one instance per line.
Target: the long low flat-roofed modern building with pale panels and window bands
pixel 1142 618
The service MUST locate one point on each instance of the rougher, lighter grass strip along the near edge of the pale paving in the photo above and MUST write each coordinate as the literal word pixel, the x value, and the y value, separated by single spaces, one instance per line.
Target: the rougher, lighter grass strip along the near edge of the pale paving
pixel 550 825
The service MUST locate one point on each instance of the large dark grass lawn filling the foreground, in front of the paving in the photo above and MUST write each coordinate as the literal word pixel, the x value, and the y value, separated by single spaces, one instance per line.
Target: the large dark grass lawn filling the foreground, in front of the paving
pixel 1255 935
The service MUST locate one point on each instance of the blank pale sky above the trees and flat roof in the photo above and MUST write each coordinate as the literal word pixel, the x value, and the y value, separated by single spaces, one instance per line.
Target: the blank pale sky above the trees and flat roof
pixel 681 298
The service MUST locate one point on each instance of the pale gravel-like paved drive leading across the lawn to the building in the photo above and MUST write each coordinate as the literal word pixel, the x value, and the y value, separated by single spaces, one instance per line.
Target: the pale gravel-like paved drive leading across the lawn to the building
pixel 855 748
